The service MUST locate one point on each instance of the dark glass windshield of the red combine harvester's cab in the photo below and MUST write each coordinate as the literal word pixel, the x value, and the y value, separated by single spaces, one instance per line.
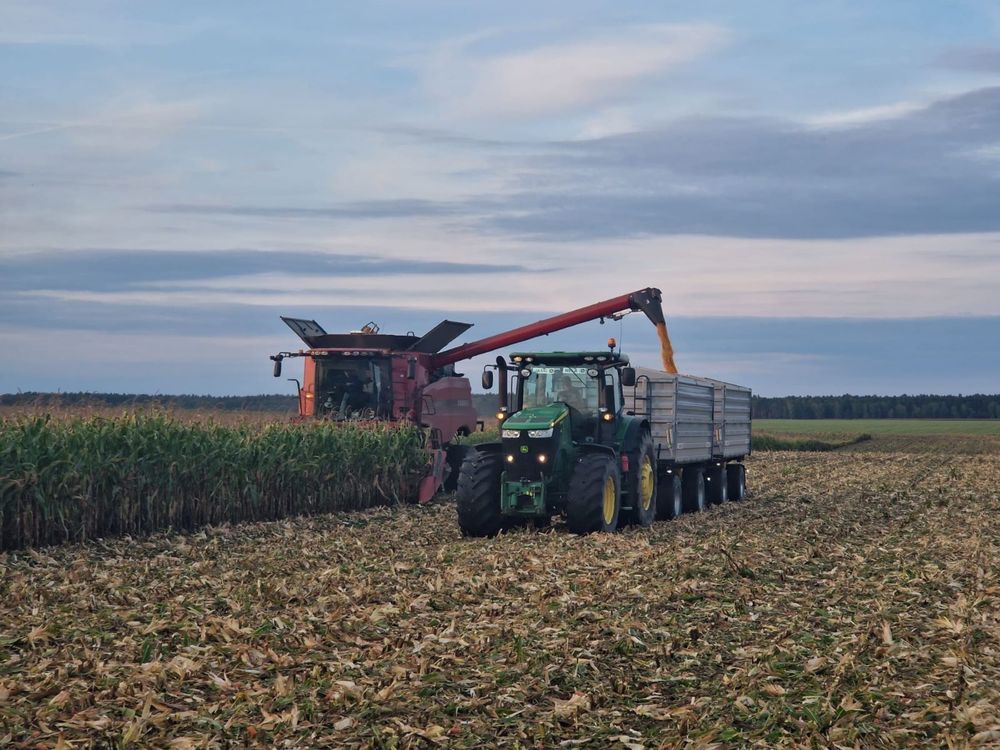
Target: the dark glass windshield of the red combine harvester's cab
pixel 352 388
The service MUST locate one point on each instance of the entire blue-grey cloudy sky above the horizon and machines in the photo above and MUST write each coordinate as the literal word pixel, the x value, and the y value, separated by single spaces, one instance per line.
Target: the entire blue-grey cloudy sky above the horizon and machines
pixel 814 186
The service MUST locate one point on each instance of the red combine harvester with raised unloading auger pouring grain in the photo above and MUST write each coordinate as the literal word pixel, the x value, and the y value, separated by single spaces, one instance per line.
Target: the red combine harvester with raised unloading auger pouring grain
pixel 369 375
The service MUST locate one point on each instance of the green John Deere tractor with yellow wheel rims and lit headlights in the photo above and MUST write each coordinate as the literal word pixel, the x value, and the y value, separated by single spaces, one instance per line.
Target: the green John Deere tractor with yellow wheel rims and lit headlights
pixel 567 447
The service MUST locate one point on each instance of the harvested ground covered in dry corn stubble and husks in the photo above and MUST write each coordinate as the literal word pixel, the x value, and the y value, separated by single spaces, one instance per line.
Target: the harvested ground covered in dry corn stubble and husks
pixel 853 601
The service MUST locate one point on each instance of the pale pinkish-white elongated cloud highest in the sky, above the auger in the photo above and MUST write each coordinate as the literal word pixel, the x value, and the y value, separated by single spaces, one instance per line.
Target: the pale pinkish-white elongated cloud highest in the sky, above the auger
pixel 561 77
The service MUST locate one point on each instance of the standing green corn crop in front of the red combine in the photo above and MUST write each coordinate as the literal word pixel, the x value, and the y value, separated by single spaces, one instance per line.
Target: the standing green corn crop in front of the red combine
pixel 89 477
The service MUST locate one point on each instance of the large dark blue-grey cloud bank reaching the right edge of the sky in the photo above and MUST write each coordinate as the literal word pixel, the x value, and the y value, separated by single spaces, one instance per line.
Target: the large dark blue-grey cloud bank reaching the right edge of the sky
pixel 916 173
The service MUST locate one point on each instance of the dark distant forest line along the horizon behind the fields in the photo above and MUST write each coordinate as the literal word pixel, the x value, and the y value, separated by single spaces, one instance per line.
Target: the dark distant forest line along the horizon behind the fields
pixel 977 406
